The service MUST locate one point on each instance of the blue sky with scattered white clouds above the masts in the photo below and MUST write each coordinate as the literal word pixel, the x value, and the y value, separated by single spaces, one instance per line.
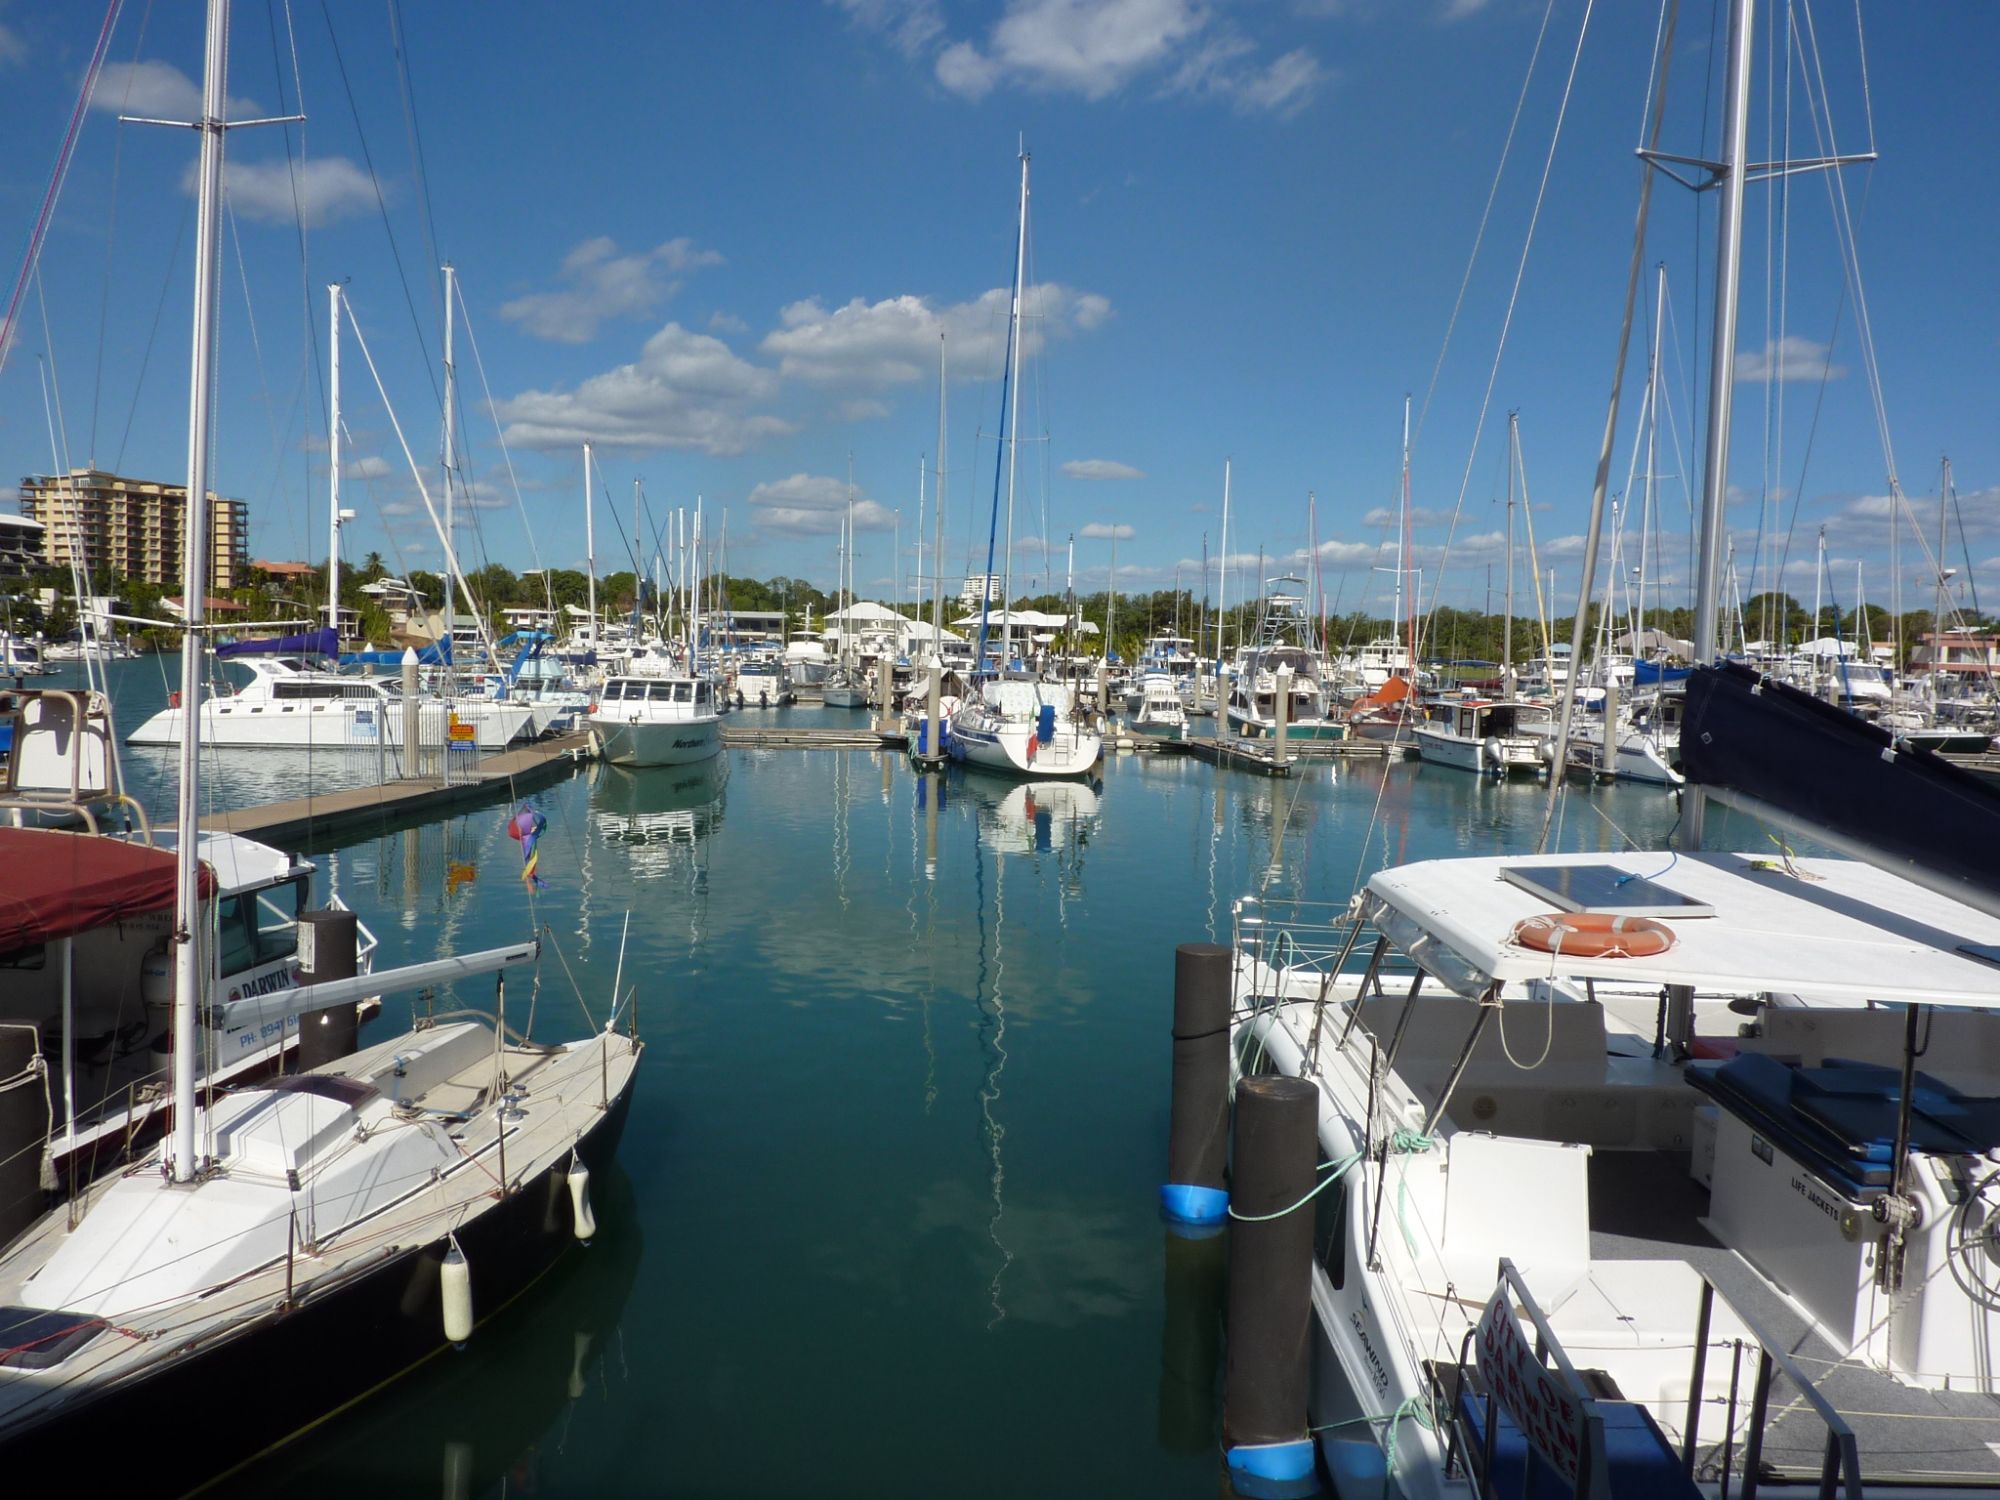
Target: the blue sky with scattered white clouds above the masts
pixel 721 241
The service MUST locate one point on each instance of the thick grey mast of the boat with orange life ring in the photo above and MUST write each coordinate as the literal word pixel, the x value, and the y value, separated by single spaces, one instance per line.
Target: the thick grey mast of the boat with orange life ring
pixel 1729 175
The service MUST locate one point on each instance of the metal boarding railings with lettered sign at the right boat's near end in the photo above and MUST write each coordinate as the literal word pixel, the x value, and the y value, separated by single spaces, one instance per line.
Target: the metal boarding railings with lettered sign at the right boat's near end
pixel 1561 1417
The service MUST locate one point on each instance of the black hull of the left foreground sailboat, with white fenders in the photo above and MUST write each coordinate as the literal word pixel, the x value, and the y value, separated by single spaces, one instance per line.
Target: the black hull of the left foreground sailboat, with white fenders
pixel 333 1349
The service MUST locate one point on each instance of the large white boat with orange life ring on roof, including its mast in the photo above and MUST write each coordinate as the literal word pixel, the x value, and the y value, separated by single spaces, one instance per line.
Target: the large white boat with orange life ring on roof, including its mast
pixel 1731 1217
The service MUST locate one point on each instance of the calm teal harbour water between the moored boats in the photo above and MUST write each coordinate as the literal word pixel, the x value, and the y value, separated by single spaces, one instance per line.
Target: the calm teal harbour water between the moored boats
pixel 887 1217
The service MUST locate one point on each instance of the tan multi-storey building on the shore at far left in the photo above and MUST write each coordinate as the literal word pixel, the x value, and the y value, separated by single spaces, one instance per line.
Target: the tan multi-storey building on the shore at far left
pixel 133 527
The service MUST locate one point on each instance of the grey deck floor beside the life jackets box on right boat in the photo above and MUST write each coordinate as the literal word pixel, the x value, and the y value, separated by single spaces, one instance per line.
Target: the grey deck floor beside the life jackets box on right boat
pixel 1647 1207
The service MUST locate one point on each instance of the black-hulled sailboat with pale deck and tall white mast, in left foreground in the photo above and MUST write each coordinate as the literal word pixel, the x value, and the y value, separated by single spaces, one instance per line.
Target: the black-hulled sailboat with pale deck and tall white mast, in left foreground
pixel 293 1245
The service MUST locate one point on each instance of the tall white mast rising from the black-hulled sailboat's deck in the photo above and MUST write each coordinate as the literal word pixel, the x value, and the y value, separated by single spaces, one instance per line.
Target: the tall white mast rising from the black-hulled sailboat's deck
pixel 191 969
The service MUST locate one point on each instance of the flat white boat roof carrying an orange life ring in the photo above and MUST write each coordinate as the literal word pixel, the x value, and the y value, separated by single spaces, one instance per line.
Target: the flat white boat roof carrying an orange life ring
pixel 1827 931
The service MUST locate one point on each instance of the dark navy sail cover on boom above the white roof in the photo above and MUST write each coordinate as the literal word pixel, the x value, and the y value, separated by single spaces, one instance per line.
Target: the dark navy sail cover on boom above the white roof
pixel 1841 773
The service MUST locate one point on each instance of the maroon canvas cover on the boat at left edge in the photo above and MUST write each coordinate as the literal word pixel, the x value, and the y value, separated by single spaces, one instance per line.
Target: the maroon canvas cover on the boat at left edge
pixel 55 885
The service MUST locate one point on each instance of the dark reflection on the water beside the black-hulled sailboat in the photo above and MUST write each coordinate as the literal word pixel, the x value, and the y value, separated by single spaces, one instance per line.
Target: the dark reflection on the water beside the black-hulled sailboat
pixel 533 1405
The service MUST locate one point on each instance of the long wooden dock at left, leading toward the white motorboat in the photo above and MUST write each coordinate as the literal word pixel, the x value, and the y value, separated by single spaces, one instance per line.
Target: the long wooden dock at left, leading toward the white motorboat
pixel 309 821
